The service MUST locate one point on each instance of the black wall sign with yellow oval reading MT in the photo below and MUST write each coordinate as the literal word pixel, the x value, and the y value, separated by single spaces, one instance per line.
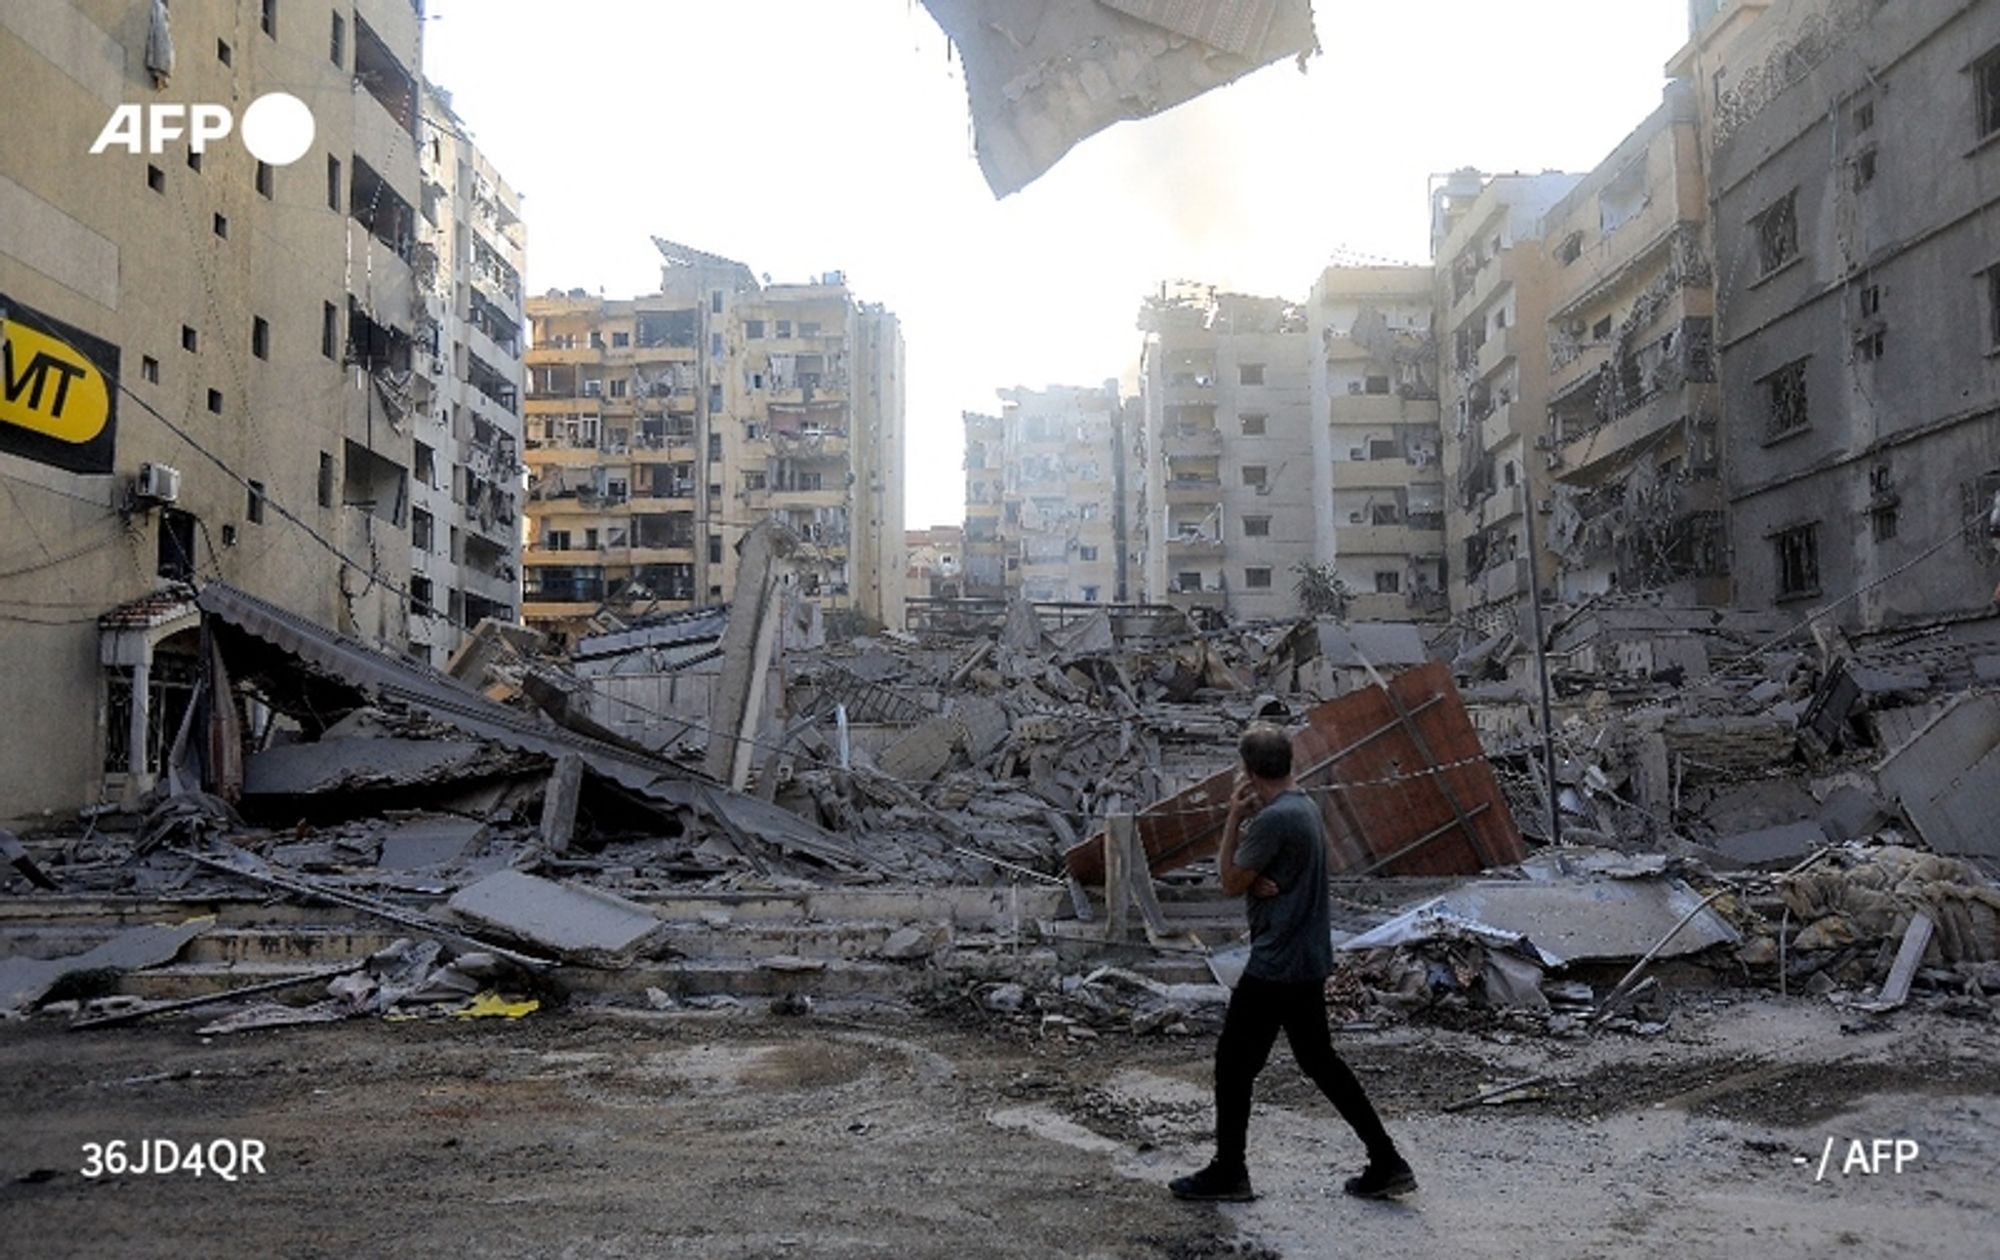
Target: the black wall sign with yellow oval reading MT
pixel 59 403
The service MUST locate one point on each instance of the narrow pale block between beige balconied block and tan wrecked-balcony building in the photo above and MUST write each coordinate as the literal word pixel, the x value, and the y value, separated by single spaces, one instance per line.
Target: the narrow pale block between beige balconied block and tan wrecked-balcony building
pixel 1493 301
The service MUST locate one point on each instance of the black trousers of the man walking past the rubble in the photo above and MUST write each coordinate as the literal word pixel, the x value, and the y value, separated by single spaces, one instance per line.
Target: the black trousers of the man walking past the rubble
pixel 1259 1009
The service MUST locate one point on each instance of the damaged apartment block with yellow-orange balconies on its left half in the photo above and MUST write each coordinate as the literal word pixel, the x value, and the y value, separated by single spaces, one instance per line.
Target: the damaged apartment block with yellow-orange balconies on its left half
pixel 663 429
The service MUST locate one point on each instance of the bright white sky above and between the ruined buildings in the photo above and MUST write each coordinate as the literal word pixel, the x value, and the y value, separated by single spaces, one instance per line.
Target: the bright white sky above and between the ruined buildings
pixel 805 137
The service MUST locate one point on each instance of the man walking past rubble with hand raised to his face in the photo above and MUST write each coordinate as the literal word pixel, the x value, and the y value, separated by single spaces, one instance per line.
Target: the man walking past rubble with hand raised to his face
pixel 1279 865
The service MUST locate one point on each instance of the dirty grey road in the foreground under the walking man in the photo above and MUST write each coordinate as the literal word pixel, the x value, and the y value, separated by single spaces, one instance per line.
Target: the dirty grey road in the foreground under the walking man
pixel 889 1135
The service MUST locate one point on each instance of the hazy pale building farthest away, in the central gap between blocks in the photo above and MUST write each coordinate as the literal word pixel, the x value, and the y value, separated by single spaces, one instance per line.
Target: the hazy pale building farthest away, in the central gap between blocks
pixel 1053 465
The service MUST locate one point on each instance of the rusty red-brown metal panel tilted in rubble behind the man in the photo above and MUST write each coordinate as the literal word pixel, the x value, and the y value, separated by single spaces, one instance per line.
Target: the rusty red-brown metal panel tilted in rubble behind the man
pixel 1399 775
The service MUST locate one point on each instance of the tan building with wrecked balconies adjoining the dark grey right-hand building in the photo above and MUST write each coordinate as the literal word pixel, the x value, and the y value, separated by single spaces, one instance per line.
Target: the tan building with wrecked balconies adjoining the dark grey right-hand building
pixel 1633 403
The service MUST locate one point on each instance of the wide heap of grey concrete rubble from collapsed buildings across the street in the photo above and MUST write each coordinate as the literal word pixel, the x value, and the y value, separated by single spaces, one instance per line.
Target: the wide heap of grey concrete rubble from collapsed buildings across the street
pixel 1013 811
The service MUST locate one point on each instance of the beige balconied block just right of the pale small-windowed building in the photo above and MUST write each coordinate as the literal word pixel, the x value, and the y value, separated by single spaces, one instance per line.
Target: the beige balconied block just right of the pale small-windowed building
pixel 1377 461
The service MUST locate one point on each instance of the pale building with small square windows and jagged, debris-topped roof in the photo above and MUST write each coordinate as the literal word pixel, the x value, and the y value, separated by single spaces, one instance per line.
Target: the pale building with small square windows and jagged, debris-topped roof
pixel 1227 383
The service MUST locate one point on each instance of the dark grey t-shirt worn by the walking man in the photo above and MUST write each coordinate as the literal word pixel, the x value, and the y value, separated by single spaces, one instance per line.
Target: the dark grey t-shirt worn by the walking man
pixel 1291 935
